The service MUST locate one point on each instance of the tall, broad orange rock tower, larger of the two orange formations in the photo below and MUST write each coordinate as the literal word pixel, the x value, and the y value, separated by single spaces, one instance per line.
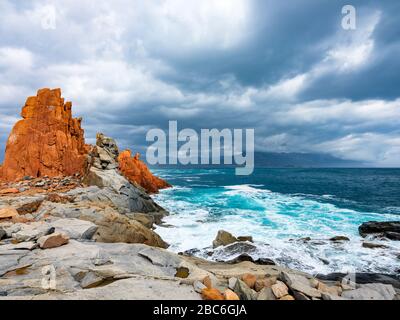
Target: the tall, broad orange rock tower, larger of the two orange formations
pixel 46 142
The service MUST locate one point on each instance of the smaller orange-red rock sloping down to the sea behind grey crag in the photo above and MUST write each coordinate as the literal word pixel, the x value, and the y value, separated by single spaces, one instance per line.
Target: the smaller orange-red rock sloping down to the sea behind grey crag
pixel 137 172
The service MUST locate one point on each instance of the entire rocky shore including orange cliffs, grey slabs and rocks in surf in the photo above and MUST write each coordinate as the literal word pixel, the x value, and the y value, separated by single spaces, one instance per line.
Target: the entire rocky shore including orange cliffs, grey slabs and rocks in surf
pixel 85 230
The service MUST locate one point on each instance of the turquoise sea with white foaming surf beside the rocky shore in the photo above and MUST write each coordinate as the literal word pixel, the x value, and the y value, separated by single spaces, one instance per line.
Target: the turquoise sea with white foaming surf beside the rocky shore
pixel 280 206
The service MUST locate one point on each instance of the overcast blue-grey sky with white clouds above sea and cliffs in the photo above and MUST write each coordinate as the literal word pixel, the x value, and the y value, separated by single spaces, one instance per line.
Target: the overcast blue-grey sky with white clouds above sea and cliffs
pixel 286 68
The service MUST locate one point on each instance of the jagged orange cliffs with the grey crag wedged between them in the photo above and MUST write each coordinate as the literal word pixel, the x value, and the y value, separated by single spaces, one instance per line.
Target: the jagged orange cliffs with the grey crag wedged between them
pixel 48 141
